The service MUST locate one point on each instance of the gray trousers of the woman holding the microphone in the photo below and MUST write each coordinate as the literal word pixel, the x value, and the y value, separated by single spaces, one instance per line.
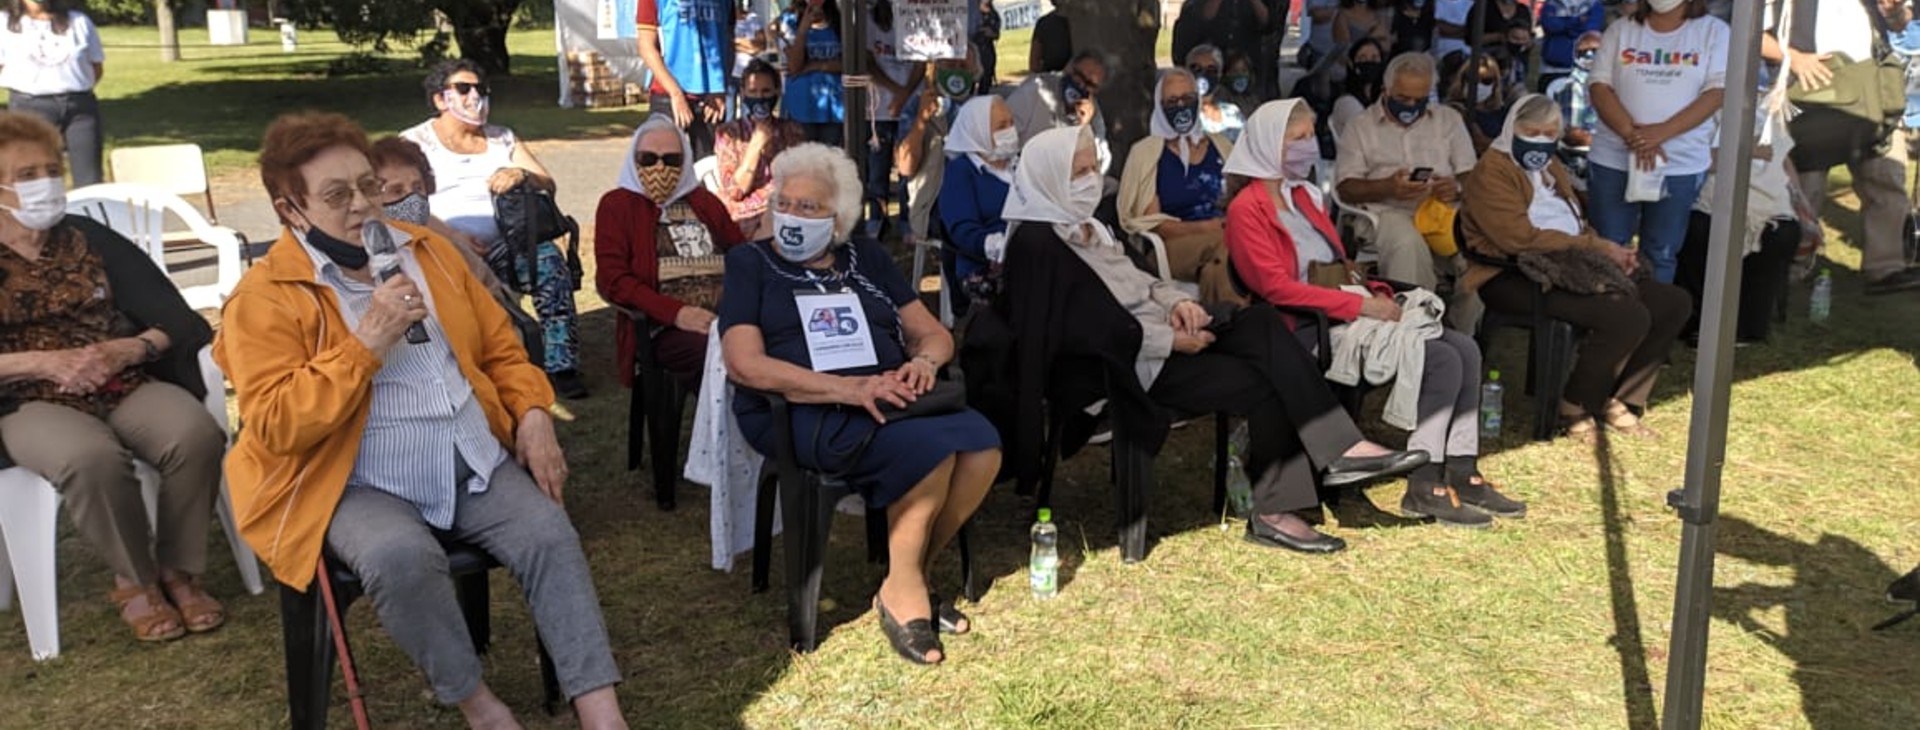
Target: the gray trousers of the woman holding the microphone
pixel 404 570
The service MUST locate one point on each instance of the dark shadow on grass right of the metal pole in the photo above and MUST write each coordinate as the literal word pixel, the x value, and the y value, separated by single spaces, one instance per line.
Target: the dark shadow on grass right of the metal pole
pixel 1850 677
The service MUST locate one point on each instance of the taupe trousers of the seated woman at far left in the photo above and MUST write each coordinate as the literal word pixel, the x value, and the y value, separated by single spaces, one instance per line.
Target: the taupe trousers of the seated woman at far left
pixel 91 464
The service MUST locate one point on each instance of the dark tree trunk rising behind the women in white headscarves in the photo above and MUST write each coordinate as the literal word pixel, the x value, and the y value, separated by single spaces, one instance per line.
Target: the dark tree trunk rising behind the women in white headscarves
pixel 1126 32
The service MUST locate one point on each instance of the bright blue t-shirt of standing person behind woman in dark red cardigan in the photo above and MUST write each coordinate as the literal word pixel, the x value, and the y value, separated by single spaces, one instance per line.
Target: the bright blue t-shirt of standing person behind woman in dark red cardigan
pixel 696 41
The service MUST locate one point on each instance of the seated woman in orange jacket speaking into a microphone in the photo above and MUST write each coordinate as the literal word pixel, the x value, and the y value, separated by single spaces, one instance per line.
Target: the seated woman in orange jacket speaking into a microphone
pixel 373 445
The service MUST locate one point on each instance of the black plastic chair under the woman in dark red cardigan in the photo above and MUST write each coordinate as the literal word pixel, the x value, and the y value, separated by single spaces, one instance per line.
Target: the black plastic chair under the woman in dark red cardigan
pixel 654 412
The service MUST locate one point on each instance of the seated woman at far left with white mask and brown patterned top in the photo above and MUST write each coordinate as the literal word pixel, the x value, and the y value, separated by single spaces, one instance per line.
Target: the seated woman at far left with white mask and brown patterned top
pixel 101 366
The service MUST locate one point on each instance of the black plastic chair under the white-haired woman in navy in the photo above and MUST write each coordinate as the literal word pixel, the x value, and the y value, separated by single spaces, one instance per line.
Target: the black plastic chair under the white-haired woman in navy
pixel 807 504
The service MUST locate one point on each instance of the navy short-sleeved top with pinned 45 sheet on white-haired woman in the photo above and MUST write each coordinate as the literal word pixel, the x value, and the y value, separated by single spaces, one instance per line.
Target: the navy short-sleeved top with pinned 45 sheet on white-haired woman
pixel 759 291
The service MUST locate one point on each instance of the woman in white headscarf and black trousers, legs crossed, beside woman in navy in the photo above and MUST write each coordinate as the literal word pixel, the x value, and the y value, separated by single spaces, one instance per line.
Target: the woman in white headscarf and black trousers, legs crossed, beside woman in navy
pixel 1189 364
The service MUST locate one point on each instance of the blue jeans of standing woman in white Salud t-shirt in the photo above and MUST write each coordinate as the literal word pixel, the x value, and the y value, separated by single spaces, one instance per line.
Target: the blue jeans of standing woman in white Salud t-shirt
pixel 1662 226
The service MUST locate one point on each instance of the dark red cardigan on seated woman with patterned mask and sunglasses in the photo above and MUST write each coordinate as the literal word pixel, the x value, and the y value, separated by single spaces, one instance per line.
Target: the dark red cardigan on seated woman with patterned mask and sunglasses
pixel 629 262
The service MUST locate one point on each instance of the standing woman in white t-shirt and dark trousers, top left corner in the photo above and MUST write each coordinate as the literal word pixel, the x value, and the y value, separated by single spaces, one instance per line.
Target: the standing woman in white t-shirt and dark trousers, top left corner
pixel 51 61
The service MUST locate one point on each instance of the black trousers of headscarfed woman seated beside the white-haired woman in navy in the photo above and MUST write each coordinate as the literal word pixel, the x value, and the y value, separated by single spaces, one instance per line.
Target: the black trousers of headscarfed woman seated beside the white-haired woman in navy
pixel 1293 420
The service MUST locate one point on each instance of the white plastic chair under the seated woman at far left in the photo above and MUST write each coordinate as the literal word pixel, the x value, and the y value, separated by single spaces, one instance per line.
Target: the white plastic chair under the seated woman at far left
pixel 30 512
